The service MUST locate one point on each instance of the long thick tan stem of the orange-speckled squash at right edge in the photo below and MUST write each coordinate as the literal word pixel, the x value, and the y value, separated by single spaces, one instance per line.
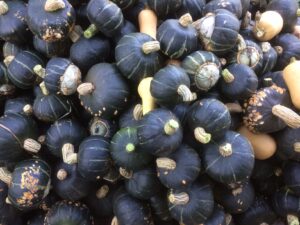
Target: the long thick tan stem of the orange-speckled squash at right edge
pixel 291 118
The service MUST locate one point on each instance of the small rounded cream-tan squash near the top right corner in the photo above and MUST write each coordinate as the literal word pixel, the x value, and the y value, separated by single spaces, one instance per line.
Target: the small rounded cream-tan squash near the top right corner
pixel 267 25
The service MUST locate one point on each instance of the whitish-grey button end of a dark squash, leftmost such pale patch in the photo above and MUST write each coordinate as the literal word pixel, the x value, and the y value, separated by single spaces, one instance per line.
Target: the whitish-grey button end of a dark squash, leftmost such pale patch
pixel 70 80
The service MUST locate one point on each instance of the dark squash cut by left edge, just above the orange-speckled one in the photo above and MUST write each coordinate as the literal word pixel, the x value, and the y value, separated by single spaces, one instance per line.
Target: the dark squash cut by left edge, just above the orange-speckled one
pixel 17 132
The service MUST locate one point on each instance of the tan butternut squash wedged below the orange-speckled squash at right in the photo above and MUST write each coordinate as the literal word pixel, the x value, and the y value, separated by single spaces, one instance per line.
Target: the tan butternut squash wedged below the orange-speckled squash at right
pixel 264 146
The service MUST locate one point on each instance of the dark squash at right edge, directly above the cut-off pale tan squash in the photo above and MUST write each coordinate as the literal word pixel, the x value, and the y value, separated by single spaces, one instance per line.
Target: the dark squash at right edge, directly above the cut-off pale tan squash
pixel 287 46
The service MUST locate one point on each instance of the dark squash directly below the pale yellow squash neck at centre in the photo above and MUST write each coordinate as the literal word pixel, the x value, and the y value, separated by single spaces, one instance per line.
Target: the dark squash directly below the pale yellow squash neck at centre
pixel 159 132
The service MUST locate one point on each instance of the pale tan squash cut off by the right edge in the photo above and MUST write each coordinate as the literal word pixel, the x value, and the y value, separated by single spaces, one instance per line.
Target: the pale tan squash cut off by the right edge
pixel 291 76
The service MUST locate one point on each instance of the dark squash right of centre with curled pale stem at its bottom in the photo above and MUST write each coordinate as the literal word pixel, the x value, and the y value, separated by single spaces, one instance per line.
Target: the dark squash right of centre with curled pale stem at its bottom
pixel 208 119
